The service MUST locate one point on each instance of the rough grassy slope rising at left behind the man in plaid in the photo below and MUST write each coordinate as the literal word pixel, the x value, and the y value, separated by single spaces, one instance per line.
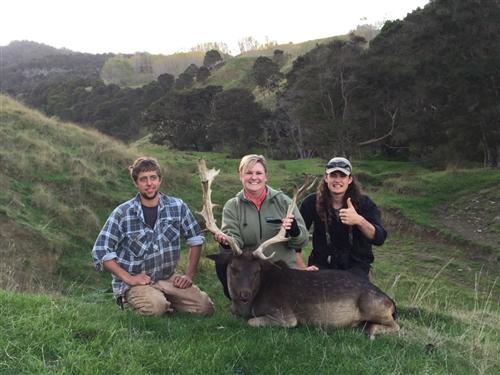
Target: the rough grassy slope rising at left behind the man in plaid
pixel 55 178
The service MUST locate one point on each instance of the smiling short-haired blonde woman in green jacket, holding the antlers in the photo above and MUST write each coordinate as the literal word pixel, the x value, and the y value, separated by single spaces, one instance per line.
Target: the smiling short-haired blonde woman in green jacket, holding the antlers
pixel 256 214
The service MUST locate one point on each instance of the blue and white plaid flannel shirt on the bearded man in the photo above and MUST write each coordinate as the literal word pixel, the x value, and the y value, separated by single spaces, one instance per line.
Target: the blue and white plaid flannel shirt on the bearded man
pixel 139 248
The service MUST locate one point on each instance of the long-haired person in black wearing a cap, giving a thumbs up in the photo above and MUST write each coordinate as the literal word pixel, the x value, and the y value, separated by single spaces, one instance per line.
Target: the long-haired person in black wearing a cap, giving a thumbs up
pixel 346 222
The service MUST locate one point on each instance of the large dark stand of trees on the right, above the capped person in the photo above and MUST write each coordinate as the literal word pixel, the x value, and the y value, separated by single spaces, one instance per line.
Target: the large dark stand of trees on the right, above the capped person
pixel 426 87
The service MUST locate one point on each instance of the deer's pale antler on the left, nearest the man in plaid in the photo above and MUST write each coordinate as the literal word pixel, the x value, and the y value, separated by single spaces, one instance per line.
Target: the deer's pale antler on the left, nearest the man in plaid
pixel 207 176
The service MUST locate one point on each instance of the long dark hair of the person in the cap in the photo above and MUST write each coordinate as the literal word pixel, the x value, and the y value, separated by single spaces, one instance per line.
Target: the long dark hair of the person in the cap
pixel 324 206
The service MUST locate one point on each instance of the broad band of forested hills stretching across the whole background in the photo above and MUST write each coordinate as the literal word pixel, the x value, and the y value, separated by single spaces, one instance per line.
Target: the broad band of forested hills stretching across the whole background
pixel 425 88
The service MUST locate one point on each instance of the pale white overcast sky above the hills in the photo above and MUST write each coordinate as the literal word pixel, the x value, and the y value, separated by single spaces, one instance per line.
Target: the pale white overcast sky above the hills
pixel 161 26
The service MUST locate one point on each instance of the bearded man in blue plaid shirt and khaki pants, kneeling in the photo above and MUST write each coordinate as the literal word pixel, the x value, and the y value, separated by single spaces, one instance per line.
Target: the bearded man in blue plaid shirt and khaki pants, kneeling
pixel 140 246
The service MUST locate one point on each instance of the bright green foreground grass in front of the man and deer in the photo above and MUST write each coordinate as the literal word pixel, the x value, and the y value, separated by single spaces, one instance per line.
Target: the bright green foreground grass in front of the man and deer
pixel 450 331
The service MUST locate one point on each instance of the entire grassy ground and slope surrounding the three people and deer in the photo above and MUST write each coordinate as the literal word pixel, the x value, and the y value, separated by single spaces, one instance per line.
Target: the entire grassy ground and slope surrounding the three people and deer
pixel 60 182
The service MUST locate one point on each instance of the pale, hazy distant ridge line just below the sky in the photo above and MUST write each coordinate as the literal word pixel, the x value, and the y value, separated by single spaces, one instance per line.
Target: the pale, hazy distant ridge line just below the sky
pixel 142 67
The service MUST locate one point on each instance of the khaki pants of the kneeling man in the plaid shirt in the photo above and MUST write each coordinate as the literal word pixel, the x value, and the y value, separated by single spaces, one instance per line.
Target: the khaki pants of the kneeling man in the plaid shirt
pixel 163 297
